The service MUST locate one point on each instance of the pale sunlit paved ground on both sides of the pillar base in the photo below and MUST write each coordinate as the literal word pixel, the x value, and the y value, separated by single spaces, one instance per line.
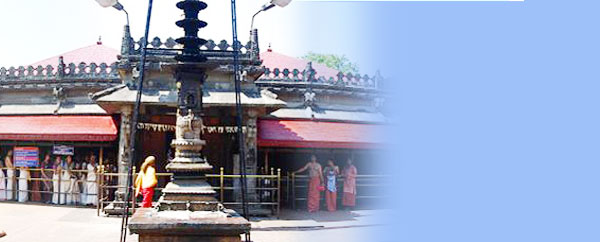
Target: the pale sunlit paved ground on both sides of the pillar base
pixel 33 222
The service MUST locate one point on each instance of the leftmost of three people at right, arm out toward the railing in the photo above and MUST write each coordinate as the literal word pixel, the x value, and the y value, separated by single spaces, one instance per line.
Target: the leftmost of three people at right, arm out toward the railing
pixel 315 175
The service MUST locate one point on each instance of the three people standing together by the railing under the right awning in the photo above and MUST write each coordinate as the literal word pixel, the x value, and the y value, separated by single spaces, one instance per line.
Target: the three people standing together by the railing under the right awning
pixel 326 180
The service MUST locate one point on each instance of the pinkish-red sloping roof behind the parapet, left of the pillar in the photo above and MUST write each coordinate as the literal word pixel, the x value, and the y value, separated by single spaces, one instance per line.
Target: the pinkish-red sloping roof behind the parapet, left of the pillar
pixel 97 53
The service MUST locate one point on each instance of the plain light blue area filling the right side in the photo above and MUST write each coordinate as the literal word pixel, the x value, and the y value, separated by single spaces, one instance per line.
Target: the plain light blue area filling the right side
pixel 496 111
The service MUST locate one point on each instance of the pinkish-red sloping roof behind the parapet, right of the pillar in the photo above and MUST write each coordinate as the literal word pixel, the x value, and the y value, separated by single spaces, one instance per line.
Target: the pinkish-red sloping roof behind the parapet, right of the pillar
pixel 274 60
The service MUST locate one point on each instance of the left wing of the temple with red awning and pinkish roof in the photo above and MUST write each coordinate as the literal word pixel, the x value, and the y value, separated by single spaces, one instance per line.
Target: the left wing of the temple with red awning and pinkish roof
pixel 48 103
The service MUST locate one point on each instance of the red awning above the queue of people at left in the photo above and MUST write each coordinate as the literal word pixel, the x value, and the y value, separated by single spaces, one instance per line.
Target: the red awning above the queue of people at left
pixel 58 128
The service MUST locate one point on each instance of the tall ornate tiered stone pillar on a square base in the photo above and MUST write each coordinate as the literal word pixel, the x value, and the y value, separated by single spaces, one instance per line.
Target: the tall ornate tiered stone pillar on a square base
pixel 188 209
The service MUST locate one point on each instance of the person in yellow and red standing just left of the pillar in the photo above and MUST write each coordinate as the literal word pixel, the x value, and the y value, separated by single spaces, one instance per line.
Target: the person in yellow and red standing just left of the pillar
pixel 146 181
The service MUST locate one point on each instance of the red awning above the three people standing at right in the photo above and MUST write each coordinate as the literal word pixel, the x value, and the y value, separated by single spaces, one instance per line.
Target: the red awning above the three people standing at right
pixel 315 134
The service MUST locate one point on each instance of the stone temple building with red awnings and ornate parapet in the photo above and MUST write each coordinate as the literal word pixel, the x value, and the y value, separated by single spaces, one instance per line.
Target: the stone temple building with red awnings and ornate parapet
pixel 292 107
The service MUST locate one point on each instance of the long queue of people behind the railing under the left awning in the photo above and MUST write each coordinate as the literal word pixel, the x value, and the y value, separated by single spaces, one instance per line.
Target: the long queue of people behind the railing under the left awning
pixel 58 181
